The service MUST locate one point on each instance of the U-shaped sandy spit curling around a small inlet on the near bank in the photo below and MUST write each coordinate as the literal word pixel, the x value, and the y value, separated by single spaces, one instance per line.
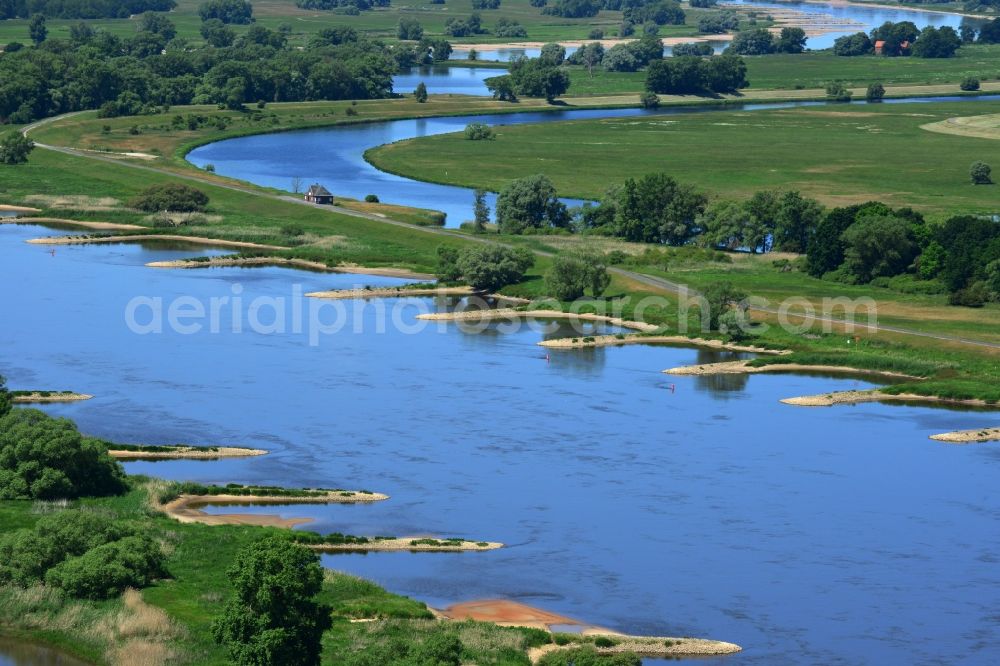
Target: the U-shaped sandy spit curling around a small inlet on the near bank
pixel 185 508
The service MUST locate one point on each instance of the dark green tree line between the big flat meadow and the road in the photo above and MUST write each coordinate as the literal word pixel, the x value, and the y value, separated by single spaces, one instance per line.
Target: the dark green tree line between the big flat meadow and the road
pixel 862 244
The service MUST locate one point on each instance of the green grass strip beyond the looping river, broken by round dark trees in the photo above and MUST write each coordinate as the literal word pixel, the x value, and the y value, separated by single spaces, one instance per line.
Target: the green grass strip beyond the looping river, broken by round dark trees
pixel 815 70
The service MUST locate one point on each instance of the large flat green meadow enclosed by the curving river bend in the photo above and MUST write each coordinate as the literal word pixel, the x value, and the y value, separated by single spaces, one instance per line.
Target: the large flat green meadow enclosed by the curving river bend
pixel 839 154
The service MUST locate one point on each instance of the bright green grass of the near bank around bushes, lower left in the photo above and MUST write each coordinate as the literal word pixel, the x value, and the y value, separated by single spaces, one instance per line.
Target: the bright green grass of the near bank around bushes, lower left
pixel 193 596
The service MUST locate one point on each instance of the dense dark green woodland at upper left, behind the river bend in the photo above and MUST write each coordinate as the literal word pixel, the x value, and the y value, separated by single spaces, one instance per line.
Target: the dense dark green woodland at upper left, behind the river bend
pixel 153 68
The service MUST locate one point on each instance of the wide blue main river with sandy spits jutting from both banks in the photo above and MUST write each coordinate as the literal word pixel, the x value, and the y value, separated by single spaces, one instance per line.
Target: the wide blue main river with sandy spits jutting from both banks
pixel 808 536
